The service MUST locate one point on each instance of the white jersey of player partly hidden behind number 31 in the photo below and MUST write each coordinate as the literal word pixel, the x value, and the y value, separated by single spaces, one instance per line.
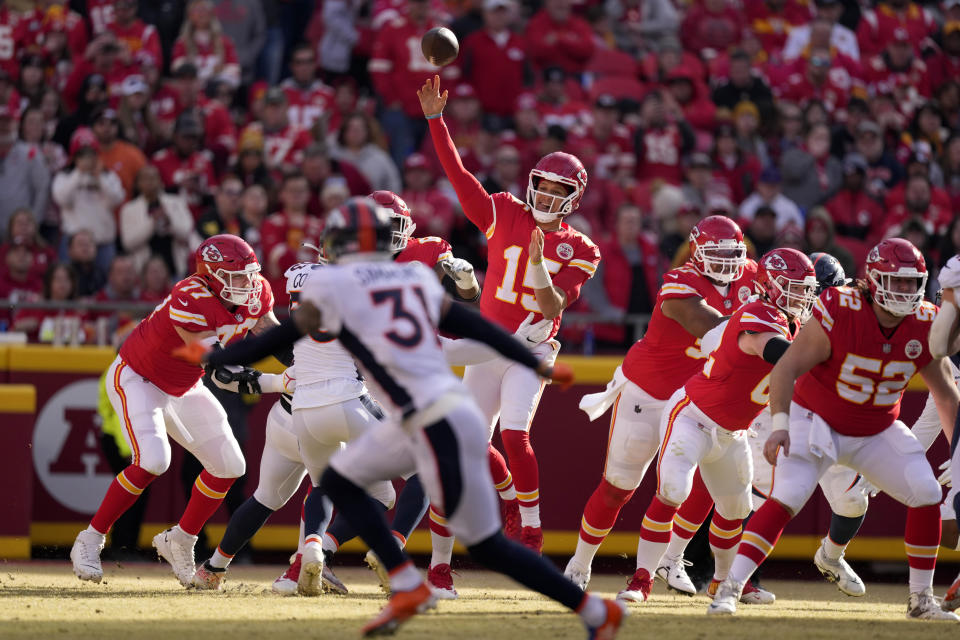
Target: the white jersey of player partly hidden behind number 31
pixel 326 372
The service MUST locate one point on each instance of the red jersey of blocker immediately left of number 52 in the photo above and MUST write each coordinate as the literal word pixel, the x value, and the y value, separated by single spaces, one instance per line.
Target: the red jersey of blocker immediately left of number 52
pixel 734 387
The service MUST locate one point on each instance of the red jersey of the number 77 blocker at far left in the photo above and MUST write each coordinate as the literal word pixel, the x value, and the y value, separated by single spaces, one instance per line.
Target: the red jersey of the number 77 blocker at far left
pixel 191 306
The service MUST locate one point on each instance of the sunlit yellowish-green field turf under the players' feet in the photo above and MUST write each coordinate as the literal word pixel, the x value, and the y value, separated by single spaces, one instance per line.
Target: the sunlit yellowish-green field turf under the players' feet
pixel 136 601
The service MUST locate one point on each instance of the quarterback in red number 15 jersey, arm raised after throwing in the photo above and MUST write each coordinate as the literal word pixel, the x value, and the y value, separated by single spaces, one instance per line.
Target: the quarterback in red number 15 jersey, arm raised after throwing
pixel 537 264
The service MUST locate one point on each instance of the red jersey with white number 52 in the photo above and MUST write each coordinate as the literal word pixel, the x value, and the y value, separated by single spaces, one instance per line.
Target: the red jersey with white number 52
pixel 858 389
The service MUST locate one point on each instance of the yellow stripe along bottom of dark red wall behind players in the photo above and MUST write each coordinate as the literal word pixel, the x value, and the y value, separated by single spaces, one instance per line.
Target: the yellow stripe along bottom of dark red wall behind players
pixel 284 538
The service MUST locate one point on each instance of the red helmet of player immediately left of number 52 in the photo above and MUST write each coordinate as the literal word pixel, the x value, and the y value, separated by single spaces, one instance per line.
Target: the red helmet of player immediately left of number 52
pixel 787 279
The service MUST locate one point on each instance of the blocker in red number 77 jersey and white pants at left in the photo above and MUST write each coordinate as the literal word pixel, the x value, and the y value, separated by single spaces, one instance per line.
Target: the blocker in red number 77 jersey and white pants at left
pixel 157 395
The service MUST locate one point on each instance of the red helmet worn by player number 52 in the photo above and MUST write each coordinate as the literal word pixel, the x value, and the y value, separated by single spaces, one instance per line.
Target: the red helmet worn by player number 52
pixel 895 259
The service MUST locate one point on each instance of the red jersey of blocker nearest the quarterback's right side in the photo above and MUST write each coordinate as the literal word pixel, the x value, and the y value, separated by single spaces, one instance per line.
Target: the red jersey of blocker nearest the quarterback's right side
pixel 667 355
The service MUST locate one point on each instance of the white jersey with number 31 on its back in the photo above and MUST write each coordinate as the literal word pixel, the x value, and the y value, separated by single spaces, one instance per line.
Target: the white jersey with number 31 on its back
pixel 386 314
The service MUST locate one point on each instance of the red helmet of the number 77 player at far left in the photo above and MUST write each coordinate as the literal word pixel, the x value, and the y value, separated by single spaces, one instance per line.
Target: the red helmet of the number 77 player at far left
pixel 230 268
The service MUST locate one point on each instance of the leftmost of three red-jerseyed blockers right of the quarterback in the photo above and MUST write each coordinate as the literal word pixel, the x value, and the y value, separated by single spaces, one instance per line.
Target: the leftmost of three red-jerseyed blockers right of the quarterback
pixel 716 281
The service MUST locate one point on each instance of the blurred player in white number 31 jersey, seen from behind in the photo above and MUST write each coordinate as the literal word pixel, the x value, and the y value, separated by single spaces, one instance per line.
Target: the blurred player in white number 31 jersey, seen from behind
pixel 386 315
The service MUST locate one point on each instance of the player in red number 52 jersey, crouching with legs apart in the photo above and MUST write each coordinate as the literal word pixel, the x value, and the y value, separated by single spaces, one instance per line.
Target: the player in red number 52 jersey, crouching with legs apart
pixel 851 366
